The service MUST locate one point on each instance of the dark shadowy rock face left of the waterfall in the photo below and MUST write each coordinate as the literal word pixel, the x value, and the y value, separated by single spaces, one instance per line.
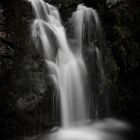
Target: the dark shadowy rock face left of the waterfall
pixel 27 96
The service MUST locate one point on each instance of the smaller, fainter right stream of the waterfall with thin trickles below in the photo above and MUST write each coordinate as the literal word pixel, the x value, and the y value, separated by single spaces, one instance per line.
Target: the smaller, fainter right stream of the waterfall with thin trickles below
pixel 87 31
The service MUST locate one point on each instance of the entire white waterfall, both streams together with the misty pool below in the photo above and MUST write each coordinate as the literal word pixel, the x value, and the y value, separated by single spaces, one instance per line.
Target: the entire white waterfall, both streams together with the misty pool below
pixel 68 70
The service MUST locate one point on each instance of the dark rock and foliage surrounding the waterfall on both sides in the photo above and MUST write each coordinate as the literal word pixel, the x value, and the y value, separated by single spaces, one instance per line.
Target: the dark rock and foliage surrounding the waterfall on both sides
pixel 28 103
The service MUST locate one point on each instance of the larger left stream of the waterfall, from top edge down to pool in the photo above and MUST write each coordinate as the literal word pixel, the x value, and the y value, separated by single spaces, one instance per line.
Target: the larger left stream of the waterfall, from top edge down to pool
pixel 65 69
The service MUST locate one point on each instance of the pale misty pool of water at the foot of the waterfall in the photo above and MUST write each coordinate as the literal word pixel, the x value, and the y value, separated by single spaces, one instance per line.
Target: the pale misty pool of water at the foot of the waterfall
pixel 109 129
